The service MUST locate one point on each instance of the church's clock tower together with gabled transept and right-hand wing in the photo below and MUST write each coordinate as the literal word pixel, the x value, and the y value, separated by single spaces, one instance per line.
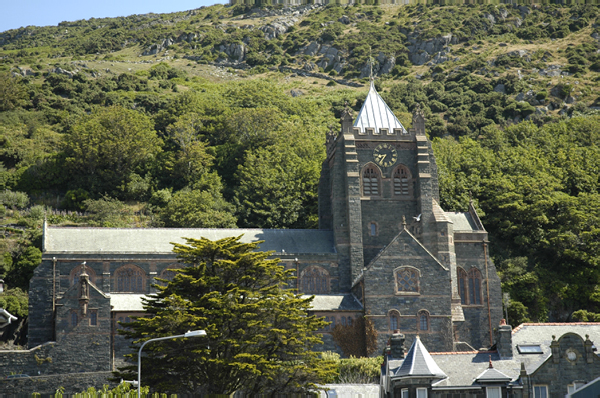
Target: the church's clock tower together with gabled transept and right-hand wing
pixel 397 248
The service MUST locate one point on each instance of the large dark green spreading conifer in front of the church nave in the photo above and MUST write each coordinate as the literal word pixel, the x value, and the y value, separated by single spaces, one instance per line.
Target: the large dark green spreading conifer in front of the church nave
pixel 259 333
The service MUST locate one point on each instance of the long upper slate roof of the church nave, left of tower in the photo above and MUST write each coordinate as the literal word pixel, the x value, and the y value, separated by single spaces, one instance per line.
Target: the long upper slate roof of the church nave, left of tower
pixel 158 240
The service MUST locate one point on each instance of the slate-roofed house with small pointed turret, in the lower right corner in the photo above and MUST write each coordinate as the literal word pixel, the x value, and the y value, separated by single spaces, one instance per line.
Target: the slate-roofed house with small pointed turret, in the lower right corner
pixel 532 361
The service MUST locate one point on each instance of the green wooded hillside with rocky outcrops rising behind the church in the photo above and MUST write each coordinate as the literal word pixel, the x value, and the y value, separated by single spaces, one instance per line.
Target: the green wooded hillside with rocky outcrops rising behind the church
pixel 216 117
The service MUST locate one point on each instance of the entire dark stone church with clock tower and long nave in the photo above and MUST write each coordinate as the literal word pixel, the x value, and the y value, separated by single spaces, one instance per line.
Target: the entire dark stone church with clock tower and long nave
pixel 385 249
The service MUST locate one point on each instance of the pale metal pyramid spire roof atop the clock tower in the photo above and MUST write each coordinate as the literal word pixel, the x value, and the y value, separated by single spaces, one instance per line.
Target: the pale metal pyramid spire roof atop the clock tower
pixel 376 114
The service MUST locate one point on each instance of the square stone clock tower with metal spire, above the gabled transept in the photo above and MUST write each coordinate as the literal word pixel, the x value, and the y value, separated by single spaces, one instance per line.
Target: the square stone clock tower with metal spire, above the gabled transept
pixel 377 174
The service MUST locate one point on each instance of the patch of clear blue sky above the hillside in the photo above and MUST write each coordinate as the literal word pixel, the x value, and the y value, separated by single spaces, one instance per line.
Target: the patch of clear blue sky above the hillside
pixel 15 14
